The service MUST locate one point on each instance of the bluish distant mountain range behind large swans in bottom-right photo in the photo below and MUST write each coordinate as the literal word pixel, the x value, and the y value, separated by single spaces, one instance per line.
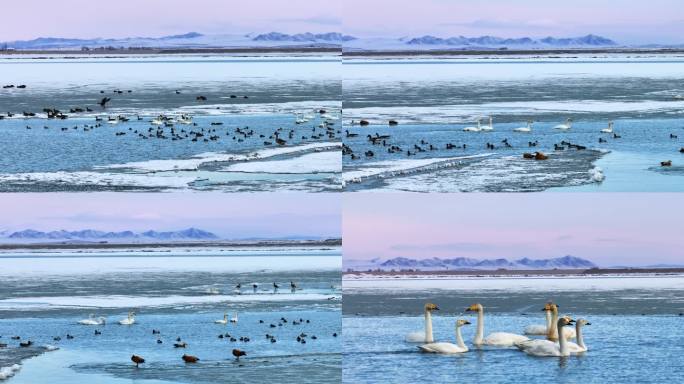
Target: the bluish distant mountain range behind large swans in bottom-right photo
pixel 464 263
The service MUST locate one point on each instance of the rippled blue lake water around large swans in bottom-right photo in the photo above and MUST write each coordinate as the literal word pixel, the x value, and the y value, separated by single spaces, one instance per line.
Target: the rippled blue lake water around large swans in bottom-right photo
pixel 635 329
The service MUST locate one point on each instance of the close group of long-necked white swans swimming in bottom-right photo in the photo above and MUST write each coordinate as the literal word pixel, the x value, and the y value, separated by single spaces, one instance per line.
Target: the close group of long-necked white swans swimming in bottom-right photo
pixel 555 343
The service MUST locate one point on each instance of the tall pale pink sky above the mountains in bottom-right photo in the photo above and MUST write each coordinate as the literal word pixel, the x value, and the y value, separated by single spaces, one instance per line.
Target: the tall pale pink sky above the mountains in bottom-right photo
pixel 607 228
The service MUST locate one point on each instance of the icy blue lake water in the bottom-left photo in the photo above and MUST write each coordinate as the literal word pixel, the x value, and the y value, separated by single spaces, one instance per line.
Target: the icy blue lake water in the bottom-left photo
pixel 181 297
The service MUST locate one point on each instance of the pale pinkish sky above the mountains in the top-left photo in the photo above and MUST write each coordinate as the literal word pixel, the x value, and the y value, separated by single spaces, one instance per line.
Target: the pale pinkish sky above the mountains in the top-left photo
pixel 28 19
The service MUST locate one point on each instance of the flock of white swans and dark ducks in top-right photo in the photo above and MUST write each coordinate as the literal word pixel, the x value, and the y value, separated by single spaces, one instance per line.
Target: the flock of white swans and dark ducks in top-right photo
pixel 425 146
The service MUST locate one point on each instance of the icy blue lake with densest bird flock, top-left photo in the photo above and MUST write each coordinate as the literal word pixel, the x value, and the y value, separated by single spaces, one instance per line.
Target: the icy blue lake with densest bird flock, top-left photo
pixel 247 102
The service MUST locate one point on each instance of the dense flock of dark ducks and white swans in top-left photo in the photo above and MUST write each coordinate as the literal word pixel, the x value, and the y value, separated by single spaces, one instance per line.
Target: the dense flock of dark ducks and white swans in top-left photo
pixel 166 127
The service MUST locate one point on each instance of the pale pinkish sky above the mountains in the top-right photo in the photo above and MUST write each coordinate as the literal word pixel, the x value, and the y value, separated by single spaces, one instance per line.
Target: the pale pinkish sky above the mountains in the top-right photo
pixel 627 21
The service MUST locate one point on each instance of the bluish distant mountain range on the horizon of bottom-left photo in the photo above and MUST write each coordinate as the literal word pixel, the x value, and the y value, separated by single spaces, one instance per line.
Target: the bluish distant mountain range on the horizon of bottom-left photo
pixel 94 235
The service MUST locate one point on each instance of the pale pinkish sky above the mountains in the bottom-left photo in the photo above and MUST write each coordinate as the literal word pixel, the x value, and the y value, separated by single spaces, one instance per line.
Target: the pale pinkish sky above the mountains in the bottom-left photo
pixel 234 215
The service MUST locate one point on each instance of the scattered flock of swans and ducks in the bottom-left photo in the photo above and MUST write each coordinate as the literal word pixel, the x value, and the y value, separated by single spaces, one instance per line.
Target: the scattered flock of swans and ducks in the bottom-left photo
pixel 178 342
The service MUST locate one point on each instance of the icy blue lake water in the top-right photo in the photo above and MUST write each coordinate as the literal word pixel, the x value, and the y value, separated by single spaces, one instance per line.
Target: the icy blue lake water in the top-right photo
pixel 433 100
